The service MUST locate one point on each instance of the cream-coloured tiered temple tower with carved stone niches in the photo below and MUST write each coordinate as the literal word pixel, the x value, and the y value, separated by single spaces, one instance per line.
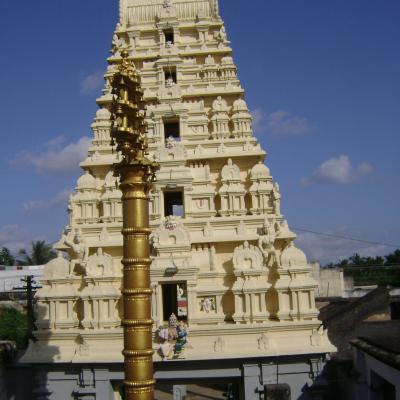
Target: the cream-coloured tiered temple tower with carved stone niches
pixel 224 259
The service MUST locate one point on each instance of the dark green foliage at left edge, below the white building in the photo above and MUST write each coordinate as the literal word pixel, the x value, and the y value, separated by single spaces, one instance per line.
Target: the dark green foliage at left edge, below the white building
pixel 13 326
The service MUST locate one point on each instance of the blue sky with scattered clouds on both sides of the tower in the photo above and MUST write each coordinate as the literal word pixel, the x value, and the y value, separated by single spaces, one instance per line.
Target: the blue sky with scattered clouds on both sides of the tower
pixel 321 76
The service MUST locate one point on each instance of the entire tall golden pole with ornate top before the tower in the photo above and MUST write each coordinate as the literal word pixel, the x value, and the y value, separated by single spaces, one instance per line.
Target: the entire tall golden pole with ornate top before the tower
pixel 136 174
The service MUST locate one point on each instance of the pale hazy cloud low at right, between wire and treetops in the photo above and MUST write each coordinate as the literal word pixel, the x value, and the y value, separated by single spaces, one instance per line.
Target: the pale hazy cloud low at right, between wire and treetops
pixel 327 249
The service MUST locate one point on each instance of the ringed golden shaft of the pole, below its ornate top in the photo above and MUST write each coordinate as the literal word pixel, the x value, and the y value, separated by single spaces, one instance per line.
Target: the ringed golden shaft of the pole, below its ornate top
pixel 137 322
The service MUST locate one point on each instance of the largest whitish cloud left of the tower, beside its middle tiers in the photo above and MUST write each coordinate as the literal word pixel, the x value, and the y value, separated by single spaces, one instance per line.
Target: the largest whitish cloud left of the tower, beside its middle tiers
pixel 55 158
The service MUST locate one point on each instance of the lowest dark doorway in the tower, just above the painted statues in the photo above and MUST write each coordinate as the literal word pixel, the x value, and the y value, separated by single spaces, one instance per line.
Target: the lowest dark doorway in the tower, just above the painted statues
pixel 174 300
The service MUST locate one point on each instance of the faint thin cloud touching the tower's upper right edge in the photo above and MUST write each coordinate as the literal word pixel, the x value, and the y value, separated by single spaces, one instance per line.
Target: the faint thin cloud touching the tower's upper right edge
pixel 280 123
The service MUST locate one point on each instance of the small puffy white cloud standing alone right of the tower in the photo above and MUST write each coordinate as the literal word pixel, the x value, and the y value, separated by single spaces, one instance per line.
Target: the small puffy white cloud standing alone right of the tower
pixel 337 171
